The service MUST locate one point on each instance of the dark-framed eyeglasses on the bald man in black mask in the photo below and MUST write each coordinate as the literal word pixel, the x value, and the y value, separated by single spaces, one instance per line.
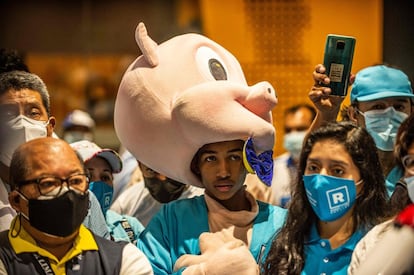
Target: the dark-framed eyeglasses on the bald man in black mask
pixel 45 185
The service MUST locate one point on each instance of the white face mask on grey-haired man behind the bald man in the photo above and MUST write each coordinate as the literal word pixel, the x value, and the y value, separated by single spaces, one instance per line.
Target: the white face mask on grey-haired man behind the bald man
pixel 22 129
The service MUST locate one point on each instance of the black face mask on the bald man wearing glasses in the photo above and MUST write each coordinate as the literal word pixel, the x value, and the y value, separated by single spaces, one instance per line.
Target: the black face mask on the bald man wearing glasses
pixel 59 216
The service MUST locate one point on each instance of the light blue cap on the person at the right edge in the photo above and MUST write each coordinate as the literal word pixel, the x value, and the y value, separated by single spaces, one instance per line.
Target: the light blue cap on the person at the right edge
pixel 380 81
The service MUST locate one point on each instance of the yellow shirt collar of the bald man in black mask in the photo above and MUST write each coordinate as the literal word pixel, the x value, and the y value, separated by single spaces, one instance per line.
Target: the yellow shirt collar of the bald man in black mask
pixel 23 242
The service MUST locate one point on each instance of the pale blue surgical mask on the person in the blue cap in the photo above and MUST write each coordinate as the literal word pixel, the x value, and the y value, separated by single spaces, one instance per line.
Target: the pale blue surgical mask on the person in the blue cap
pixel 383 125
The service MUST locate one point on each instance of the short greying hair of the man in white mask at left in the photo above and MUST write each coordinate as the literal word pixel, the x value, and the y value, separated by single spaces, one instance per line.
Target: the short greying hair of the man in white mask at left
pixel 19 80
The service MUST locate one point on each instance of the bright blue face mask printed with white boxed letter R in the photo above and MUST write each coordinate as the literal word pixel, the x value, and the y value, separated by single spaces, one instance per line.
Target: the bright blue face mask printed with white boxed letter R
pixel 330 197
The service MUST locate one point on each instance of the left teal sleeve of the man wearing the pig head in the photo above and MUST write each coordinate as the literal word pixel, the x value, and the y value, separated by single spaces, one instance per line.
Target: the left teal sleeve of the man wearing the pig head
pixel 173 232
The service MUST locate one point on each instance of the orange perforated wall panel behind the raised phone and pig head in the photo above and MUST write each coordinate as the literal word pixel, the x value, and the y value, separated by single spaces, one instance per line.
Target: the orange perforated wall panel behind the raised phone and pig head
pixel 282 40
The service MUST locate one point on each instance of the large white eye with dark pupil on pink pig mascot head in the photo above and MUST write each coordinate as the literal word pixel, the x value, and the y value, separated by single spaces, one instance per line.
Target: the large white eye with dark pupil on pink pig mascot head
pixel 210 64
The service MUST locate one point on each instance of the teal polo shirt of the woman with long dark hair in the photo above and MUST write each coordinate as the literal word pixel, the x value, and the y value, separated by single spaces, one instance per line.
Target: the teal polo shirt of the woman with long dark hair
pixel 321 259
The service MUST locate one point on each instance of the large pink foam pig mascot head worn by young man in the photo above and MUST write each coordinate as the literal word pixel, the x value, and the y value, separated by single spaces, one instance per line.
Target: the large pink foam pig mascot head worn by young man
pixel 184 93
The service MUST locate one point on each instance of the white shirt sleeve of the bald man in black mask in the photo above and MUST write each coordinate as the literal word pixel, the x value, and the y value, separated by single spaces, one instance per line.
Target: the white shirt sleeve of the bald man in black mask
pixel 134 262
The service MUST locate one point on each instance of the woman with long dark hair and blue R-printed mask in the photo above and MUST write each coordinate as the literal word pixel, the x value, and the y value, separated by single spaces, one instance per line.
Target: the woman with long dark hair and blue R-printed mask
pixel 339 195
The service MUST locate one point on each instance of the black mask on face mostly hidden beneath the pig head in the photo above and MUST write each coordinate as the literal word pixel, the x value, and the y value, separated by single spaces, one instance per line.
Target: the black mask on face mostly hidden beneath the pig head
pixel 164 191
